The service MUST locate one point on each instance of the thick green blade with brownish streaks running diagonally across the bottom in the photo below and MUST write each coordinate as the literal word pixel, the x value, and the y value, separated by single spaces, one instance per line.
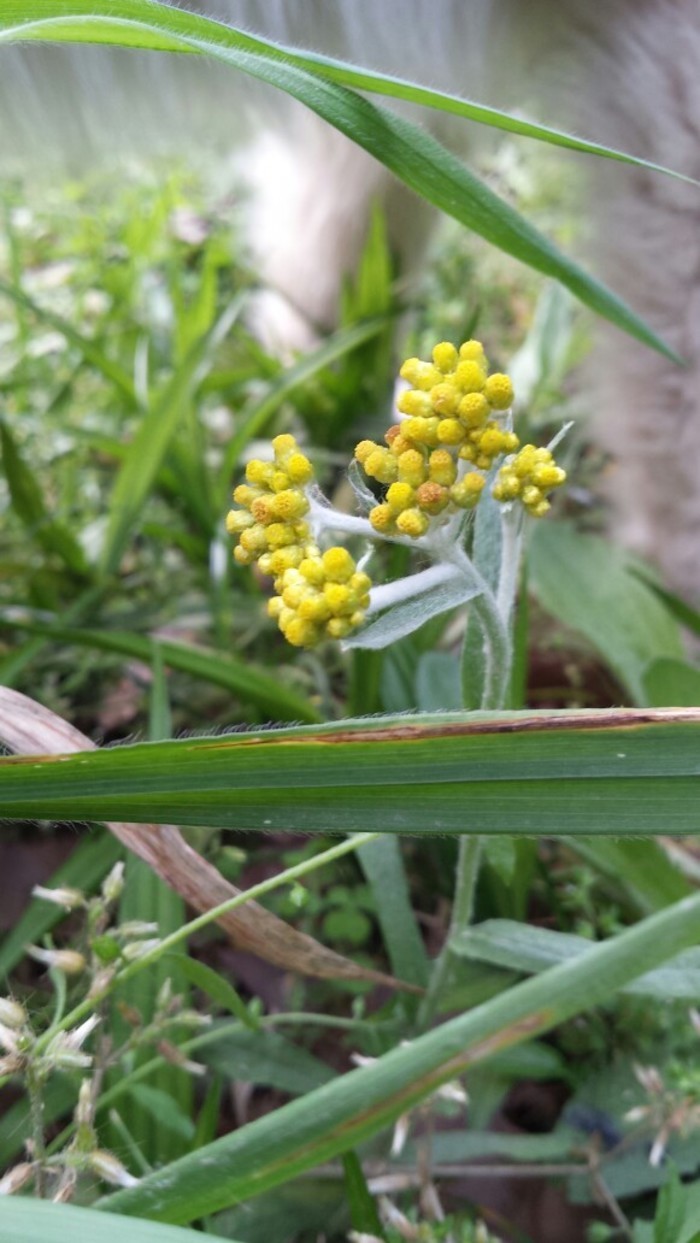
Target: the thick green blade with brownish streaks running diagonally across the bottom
pixel 339 1117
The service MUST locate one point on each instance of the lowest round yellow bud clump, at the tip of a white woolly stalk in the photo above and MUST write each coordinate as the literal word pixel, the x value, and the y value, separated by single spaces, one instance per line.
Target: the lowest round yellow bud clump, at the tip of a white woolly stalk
pixel 325 599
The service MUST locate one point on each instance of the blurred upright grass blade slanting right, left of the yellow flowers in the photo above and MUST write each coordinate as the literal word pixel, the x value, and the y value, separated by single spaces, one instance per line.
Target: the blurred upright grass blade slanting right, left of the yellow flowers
pixel 151 443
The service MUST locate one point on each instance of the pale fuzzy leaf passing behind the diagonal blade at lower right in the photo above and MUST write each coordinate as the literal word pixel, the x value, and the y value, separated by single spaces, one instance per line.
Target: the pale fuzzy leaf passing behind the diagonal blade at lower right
pixel 525 948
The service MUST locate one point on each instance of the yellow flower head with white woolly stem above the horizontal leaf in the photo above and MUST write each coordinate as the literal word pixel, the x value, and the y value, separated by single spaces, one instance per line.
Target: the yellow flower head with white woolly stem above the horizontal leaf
pixel 454 451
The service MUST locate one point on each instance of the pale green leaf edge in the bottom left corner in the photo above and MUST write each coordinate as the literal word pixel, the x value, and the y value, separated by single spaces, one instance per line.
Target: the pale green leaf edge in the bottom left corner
pixel 35 1221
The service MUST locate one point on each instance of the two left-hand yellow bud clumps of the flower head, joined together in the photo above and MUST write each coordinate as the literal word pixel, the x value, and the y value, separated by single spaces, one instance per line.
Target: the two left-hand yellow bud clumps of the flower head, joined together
pixel 319 596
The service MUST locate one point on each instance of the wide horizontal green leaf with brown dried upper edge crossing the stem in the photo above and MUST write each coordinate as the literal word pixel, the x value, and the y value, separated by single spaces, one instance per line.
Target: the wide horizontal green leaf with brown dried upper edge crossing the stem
pixel 591 773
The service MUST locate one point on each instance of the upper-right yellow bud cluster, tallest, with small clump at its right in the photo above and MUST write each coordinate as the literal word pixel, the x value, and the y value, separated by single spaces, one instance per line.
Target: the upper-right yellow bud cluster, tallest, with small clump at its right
pixel 456 424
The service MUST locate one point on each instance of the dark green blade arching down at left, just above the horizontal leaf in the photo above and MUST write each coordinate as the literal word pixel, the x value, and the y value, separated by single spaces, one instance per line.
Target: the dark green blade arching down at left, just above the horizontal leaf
pixel 242 679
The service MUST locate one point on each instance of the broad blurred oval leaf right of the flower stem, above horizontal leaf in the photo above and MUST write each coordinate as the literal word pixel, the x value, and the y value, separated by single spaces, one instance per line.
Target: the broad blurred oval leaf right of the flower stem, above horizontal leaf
pixel 590 585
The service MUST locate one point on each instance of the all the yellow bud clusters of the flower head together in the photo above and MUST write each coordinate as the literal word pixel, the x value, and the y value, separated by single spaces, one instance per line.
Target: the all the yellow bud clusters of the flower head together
pixel 454 429
